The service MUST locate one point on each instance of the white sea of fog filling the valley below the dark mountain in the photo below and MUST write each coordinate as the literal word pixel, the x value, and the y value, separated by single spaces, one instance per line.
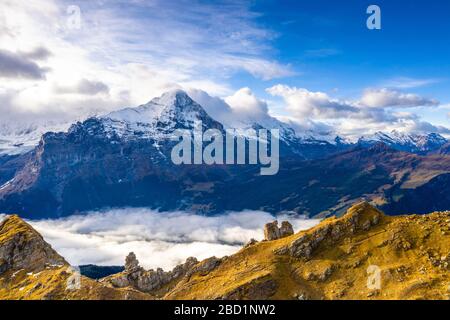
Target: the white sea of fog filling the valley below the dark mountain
pixel 159 239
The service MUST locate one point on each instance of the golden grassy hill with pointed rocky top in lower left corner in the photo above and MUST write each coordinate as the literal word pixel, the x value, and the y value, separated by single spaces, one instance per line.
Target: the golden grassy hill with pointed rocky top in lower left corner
pixel 31 269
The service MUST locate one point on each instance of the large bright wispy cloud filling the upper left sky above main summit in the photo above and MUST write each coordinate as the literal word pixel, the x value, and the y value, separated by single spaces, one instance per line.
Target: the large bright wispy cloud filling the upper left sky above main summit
pixel 120 57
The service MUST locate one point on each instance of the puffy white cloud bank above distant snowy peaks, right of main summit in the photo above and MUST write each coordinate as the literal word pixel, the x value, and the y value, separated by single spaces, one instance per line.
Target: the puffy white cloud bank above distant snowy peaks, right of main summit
pixel 378 110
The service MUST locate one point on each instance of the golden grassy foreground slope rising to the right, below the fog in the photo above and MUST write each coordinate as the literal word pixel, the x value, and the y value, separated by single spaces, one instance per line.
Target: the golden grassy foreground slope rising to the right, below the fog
pixel 336 259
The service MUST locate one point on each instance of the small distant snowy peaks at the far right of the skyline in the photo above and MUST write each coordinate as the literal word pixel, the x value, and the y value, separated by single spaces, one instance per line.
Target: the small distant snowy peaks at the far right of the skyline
pixel 417 143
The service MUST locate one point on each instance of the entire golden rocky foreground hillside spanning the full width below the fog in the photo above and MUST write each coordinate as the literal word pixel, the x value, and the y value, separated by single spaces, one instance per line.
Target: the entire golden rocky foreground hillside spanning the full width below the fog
pixel 362 255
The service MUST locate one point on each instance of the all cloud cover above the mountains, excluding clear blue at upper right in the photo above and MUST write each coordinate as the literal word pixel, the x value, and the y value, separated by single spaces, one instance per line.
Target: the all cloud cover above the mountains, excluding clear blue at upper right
pixel 125 53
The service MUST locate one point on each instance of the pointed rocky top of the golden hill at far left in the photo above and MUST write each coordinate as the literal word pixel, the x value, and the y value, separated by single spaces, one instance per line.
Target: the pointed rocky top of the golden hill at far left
pixel 21 247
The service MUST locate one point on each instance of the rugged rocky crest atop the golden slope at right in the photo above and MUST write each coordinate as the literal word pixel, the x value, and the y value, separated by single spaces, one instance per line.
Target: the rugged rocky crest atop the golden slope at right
pixel 361 217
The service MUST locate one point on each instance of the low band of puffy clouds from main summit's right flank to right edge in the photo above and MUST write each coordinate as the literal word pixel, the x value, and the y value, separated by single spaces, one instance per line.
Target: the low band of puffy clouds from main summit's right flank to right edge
pixel 315 113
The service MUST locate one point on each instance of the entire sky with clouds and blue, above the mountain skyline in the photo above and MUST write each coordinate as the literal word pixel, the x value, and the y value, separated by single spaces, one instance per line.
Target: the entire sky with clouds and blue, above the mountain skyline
pixel 313 63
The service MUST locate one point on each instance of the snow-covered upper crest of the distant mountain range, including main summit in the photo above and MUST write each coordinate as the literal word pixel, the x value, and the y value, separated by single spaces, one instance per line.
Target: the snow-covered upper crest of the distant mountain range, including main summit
pixel 175 109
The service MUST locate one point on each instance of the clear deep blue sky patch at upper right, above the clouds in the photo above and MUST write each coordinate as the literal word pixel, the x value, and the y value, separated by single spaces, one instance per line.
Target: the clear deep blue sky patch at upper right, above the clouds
pixel 329 40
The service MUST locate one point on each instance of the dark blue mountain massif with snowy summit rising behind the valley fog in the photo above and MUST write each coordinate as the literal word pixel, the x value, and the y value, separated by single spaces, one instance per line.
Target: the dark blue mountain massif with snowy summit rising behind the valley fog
pixel 123 160
